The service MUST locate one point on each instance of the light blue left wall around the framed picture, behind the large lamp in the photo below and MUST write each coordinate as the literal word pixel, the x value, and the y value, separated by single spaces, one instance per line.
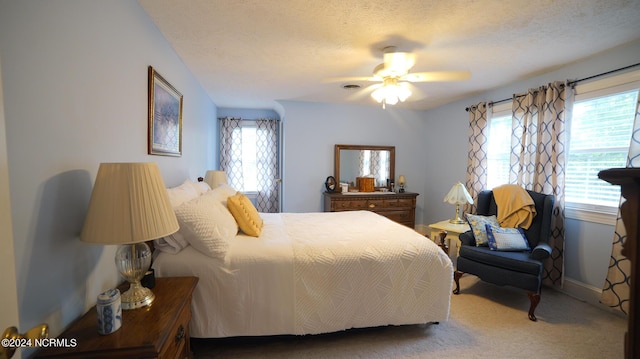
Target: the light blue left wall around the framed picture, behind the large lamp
pixel 75 93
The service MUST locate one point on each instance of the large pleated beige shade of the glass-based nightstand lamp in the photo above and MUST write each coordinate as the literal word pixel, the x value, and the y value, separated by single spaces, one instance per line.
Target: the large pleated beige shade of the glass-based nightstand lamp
pixel 129 204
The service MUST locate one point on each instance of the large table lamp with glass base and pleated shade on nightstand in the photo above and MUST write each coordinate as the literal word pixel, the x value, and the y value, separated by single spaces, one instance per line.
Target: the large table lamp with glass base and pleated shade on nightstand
pixel 129 206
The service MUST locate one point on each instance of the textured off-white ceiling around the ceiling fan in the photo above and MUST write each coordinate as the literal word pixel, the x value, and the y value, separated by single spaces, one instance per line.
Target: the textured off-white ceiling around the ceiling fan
pixel 251 53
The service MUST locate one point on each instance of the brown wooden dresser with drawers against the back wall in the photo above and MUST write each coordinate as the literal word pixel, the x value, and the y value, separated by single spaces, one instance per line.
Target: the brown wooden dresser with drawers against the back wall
pixel 399 207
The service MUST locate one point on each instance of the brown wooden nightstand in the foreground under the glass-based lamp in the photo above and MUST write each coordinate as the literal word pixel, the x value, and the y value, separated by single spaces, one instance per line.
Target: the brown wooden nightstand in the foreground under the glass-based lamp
pixel 158 331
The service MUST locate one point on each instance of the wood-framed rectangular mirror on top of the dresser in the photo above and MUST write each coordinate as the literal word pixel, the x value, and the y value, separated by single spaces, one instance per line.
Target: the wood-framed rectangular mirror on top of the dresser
pixel 353 161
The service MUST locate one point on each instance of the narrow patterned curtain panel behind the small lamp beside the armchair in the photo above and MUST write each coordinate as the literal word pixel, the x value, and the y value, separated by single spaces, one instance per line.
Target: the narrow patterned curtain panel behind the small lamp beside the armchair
pixel 476 176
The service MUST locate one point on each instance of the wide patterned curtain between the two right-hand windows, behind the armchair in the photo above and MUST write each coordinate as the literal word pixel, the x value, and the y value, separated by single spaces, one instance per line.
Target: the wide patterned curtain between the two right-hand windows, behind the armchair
pixel 538 148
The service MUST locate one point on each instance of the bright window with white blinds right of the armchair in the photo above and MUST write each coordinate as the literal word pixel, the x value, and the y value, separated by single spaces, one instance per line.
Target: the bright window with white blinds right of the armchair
pixel 600 134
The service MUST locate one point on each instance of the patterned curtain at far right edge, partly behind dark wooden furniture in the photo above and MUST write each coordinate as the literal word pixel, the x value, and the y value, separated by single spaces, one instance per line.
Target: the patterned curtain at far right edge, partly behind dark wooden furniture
pixel 616 290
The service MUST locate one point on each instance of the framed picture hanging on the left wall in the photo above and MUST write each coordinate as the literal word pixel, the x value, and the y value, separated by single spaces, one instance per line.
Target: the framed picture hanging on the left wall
pixel 165 117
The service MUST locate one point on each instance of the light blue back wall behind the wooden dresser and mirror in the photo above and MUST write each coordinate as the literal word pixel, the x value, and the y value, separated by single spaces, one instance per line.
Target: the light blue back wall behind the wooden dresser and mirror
pixel 312 129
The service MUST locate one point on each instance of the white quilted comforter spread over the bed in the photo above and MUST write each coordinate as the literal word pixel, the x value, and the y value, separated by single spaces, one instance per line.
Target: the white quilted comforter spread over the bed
pixel 311 273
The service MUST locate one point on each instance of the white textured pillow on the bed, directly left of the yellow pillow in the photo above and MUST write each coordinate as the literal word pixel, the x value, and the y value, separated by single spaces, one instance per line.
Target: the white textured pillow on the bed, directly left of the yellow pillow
pixel 207 225
